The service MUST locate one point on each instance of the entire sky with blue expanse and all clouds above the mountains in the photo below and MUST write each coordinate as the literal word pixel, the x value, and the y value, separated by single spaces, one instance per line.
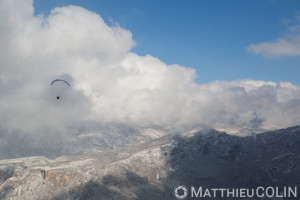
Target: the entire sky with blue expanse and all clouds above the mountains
pixel 148 64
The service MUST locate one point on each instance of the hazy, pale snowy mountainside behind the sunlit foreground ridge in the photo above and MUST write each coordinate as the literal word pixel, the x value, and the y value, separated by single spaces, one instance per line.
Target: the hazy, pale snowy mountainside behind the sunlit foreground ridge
pixel 86 140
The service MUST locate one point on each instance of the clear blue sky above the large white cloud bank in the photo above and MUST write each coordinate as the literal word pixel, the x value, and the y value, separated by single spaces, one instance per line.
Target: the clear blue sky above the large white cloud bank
pixel 211 36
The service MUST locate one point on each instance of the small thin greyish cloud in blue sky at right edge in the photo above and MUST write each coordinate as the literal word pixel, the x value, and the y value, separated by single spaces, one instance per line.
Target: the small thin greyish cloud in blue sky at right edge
pixel 287 46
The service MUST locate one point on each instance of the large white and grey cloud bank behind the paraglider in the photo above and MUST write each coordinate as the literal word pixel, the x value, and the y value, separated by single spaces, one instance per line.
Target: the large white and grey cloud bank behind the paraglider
pixel 110 84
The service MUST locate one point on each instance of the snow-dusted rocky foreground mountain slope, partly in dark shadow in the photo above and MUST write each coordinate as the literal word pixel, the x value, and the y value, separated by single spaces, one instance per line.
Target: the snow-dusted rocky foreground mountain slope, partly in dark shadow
pixel 151 170
